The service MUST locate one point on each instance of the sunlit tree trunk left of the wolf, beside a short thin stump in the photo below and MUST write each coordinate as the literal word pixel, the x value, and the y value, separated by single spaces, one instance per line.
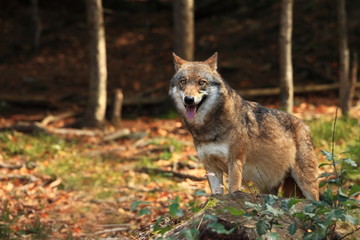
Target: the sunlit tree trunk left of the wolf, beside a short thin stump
pixel 96 107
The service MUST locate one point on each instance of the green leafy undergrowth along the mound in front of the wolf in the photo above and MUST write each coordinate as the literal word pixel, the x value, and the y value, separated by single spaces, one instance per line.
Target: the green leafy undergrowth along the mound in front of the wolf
pixel 316 219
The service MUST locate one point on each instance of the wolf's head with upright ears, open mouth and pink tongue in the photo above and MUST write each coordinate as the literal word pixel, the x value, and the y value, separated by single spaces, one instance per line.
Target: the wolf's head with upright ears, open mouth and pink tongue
pixel 195 87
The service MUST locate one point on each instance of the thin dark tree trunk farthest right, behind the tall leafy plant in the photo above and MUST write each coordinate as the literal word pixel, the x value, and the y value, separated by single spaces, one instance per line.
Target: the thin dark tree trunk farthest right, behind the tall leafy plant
pixel 344 60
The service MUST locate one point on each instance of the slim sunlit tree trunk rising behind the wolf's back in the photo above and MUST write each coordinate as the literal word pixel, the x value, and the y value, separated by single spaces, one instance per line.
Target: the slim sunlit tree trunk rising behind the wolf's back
pixel 286 71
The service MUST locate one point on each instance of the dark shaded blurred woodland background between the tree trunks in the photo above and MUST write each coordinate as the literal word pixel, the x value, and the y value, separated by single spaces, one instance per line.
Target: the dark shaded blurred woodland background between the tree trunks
pixel 45 52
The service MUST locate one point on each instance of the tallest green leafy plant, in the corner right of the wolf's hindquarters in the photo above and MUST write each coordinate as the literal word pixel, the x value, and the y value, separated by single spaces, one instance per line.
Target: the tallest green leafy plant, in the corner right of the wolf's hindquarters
pixel 338 202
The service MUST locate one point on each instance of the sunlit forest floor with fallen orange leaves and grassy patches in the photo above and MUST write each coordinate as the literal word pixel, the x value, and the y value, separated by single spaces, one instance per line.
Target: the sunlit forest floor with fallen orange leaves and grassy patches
pixel 68 187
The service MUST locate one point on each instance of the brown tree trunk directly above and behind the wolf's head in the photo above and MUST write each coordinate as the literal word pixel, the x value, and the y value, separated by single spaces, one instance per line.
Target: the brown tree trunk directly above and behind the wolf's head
pixel 184 28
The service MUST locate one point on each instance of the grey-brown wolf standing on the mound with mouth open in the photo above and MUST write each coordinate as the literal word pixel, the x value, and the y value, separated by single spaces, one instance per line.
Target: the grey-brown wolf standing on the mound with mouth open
pixel 244 140
